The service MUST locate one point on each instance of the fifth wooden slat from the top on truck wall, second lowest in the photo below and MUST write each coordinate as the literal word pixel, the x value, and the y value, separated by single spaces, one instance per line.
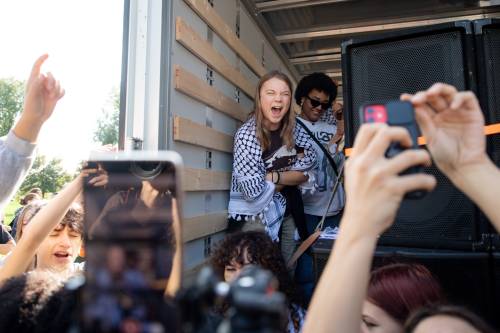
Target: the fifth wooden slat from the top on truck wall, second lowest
pixel 205 180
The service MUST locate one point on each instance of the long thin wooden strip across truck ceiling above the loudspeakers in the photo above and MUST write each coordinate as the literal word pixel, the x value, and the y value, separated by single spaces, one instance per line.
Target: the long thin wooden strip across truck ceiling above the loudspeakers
pixel 331 32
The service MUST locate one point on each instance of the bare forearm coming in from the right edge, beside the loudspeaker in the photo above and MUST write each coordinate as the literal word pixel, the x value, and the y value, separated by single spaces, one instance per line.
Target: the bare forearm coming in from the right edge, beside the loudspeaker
pixel 481 183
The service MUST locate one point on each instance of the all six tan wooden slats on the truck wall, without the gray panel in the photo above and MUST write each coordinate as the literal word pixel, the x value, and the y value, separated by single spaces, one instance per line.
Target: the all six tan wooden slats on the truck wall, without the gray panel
pixel 194 133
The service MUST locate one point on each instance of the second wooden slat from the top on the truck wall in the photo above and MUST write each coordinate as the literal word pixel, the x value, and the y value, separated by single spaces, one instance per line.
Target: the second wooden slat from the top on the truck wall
pixel 185 35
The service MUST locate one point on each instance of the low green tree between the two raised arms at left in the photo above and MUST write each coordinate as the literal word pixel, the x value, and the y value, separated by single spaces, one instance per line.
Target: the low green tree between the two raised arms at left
pixel 48 175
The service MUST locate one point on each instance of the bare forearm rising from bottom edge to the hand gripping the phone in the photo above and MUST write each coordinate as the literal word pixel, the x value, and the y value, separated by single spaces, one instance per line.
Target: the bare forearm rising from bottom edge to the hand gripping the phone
pixel 337 301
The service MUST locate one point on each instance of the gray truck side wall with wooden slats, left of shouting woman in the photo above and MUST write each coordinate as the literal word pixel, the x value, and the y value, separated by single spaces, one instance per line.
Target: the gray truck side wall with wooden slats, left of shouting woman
pixel 240 63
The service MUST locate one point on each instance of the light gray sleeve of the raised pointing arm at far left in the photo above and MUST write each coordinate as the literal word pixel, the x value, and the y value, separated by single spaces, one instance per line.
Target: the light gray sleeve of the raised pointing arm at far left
pixel 16 157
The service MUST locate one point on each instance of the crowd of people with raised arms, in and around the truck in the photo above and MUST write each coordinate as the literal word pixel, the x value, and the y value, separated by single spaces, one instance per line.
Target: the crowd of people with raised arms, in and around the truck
pixel 287 181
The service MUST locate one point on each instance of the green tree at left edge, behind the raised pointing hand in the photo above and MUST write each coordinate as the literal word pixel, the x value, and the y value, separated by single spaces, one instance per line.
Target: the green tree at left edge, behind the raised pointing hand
pixel 11 103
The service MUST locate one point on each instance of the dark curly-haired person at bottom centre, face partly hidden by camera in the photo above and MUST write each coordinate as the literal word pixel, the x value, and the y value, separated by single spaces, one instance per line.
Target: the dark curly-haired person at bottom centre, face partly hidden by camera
pixel 254 247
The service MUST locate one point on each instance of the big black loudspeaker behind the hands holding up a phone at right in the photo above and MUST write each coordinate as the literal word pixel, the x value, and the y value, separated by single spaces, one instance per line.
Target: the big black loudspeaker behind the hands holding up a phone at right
pixel 380 70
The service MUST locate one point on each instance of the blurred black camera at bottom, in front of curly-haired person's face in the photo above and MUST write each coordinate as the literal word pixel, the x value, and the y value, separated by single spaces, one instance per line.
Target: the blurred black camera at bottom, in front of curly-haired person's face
pixel 254 304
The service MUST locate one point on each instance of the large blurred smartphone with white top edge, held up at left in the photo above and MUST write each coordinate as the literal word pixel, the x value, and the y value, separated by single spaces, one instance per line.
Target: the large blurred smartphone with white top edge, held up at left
pixel 131 238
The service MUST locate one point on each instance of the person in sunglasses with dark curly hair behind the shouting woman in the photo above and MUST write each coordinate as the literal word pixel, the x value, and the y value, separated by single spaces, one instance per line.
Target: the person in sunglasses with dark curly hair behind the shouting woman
pixel 315 94
